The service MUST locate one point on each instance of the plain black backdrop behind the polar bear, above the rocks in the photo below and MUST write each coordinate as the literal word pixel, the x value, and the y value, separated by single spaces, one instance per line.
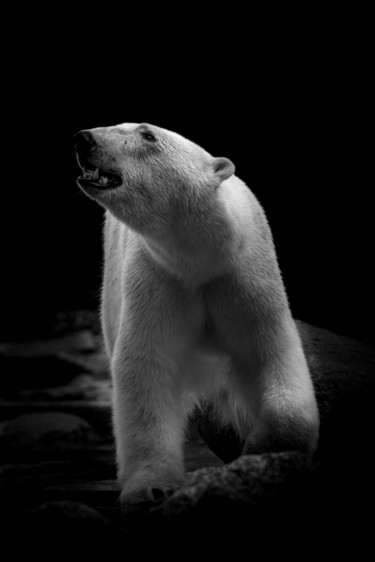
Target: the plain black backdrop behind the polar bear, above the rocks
pixel 290 107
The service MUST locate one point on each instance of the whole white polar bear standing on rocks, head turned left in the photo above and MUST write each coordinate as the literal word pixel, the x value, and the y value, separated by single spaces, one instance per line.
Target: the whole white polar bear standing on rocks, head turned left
pixel 193 305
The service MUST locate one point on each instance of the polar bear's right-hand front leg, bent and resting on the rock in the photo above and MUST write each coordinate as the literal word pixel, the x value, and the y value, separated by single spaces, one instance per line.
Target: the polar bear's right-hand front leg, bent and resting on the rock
pixel 270 384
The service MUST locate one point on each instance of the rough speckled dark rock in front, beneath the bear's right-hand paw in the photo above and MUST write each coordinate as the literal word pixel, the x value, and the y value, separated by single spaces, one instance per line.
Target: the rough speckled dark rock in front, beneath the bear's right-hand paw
pixel 266 501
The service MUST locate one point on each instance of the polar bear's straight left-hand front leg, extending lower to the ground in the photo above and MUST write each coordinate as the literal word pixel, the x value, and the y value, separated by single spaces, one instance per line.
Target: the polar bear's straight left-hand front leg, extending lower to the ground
pixel 148 424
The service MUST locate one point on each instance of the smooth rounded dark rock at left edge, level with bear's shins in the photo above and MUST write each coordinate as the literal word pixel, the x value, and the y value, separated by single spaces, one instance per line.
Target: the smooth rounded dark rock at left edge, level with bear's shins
pixel 44 432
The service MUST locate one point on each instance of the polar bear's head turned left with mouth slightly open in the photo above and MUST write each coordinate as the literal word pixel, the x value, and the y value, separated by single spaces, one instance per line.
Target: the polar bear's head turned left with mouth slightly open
pixel 149 178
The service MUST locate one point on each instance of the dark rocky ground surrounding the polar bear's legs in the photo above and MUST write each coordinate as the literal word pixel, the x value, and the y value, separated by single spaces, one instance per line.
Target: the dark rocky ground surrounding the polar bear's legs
pixel 57 458
